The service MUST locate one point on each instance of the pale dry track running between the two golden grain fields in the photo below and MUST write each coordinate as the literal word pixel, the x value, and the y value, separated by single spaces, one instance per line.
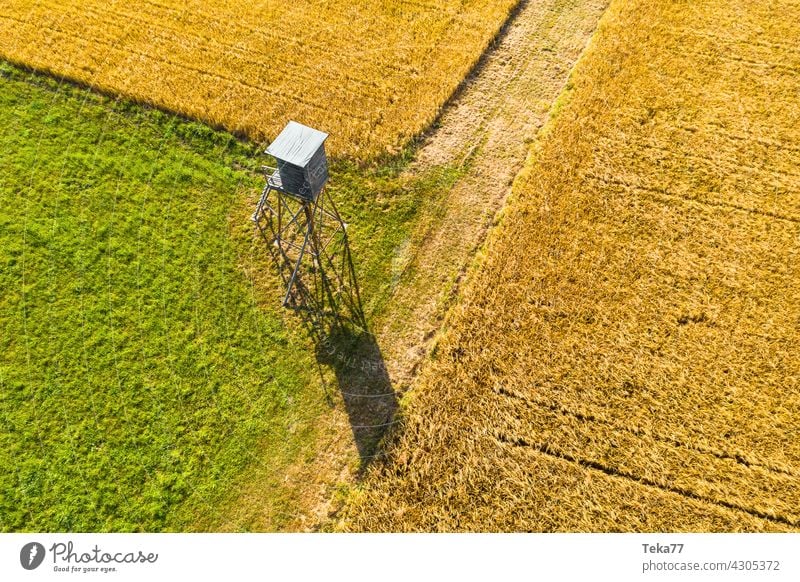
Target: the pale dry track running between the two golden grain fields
pixel 489 126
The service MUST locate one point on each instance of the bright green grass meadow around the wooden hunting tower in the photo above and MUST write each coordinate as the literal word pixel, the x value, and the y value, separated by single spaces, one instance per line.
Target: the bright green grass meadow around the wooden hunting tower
pixel 141 375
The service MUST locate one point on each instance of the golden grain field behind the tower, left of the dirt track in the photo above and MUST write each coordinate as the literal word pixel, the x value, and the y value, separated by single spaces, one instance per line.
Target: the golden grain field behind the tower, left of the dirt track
pixel 371 73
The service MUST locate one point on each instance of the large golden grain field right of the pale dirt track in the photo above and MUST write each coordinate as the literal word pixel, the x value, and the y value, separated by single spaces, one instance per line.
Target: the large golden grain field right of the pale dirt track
pixel 626 355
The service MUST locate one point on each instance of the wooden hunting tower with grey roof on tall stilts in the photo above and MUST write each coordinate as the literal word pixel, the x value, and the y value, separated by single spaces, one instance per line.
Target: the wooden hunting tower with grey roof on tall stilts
pixel 302 226
